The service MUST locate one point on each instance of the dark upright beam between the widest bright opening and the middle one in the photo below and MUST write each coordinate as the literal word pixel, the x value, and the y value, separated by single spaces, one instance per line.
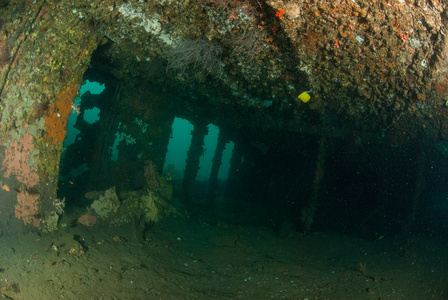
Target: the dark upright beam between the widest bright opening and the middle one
pixel 192 163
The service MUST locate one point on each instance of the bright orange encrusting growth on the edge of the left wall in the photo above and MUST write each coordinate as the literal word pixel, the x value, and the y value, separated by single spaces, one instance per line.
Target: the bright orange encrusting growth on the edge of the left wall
pixel 57 118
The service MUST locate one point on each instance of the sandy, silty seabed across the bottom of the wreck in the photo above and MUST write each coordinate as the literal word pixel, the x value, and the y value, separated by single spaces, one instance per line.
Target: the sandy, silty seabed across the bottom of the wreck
pixel 180 258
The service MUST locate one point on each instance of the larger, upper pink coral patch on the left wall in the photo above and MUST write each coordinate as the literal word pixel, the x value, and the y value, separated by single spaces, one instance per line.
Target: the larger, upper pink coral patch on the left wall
pixel 16 161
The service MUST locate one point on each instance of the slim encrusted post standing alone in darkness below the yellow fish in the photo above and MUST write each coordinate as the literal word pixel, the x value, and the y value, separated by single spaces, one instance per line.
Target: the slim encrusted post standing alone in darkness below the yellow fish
pixel 307 215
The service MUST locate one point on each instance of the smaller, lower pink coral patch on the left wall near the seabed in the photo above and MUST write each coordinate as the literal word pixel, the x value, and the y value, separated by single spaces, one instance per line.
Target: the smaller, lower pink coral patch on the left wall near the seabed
pixel 27 208
